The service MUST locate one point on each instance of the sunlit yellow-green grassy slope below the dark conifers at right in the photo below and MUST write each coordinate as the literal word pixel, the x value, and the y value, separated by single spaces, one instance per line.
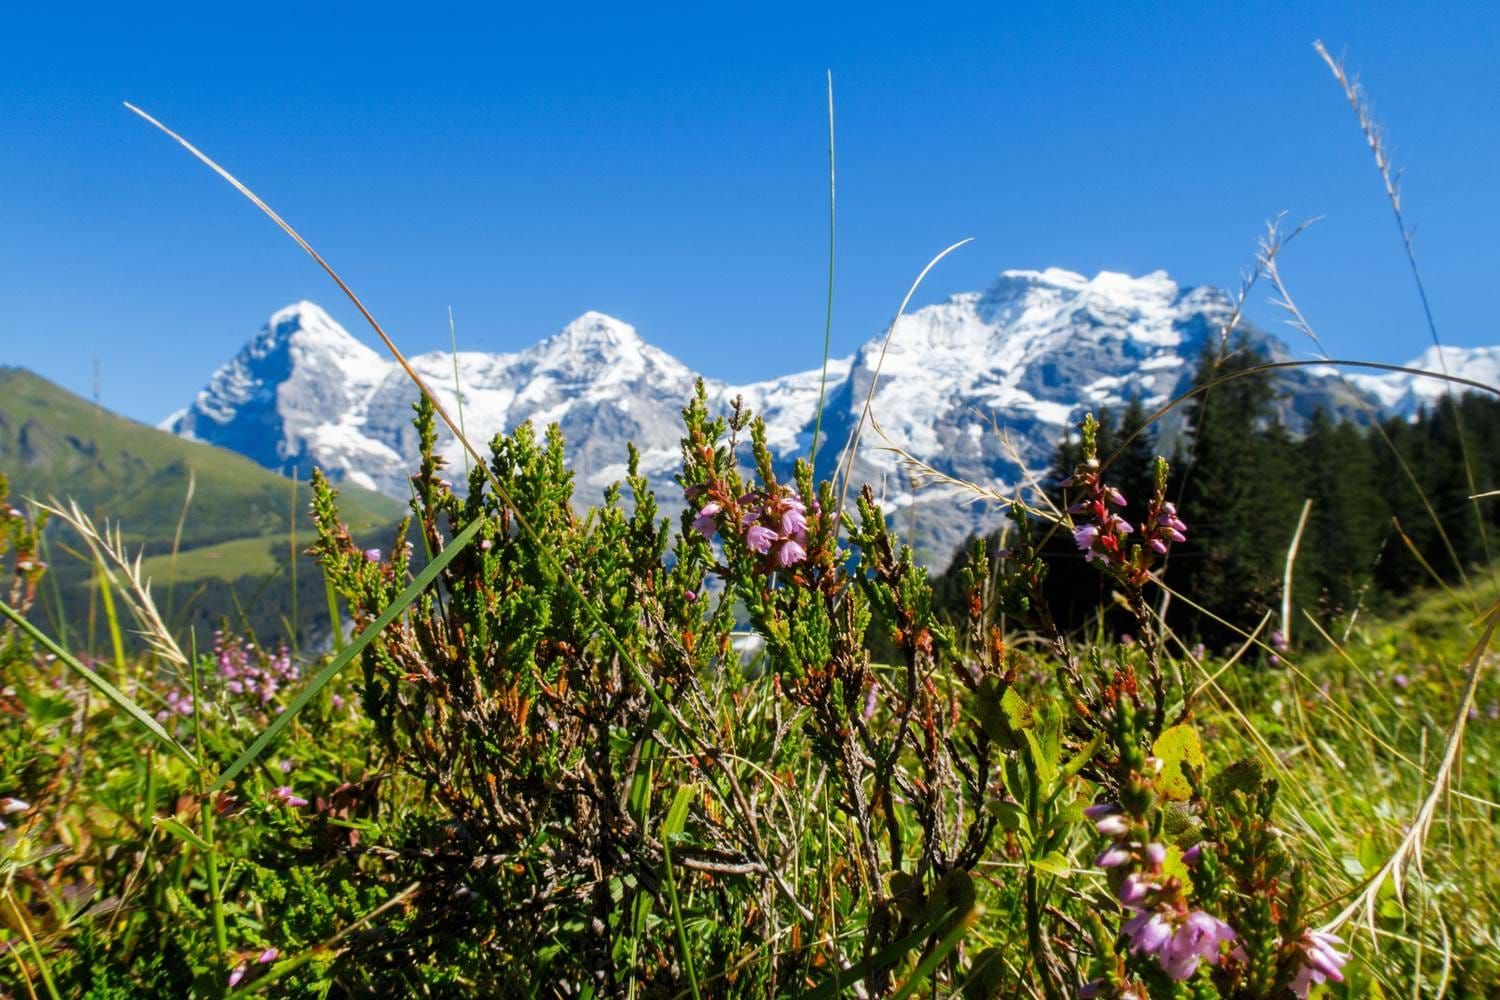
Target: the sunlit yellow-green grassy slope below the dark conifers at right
pixel 1357 729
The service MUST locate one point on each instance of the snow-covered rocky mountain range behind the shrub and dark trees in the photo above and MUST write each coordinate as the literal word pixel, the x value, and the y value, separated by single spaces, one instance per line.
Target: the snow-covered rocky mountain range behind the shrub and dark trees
pixel 980 388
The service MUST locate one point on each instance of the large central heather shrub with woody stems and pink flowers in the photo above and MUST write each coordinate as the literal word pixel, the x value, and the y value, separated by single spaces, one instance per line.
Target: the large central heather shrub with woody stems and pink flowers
pixel 616 803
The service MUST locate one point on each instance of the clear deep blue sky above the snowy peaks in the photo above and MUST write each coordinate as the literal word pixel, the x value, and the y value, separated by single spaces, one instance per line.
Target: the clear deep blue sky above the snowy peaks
pixel 670 169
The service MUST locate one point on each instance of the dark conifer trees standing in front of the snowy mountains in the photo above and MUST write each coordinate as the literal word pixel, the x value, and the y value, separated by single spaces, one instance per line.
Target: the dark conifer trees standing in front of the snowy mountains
pixel 1391 504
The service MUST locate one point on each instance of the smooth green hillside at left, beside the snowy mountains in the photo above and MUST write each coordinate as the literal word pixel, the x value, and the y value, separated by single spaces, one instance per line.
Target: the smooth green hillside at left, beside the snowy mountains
pixel 236 542
